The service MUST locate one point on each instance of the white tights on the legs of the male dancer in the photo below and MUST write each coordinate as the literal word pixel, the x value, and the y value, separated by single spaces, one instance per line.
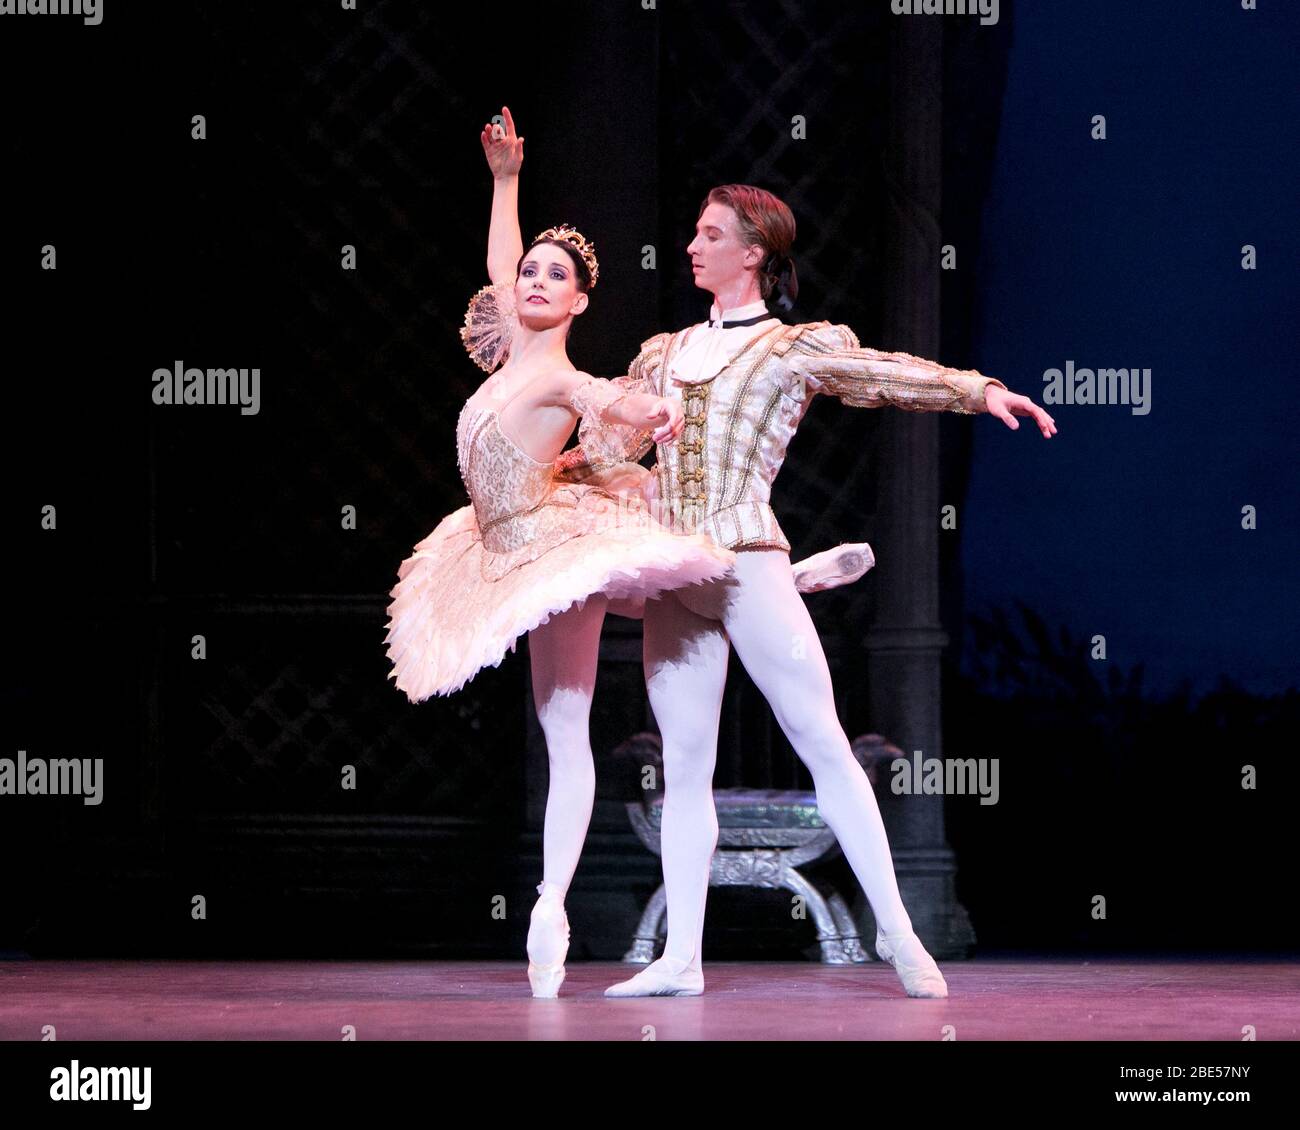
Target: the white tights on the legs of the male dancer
pixel 686 661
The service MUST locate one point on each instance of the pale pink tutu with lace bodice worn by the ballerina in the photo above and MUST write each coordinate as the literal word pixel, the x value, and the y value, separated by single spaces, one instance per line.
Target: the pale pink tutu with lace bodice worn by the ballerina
pixel 469 592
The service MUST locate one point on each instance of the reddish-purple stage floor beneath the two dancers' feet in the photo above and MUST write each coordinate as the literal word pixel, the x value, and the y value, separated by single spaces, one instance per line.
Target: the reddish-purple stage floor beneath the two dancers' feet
pixel 991 999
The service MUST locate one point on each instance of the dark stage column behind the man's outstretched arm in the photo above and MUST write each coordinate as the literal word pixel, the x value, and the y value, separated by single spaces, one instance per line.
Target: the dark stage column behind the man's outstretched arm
pixel 905 637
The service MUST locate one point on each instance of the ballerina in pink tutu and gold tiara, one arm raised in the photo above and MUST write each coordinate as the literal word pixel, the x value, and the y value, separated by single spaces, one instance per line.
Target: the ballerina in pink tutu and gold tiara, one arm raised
pixel 532 553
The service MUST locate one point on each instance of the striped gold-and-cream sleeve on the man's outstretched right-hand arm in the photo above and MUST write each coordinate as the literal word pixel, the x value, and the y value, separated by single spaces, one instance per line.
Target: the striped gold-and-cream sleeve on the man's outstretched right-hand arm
pixel 831 361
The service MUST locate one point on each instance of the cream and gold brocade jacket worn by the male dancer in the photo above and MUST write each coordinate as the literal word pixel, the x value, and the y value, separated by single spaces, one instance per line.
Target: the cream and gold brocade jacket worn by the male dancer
pixel 717 478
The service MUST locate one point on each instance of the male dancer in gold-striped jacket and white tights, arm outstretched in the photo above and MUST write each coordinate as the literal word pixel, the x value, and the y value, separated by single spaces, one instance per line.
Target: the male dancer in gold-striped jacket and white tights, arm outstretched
pixel 746 382
